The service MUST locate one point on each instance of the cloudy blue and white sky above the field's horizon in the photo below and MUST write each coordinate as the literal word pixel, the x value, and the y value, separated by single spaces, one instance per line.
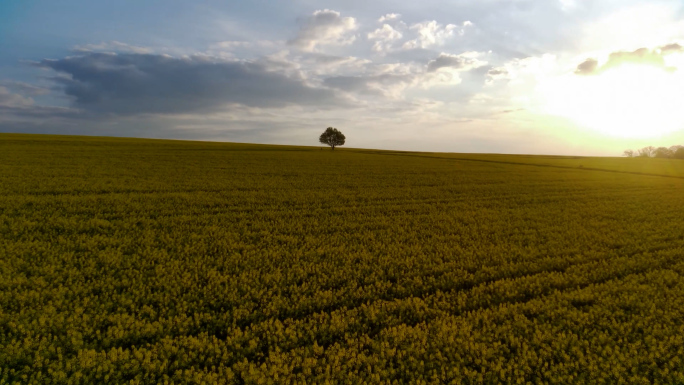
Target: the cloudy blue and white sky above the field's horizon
pixel 566 77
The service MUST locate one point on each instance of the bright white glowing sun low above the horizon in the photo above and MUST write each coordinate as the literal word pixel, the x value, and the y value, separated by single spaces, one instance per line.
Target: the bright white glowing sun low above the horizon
pixel 629 101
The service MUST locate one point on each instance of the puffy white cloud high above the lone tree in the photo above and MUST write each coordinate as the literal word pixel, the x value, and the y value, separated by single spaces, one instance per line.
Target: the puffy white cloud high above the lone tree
pixel 324 27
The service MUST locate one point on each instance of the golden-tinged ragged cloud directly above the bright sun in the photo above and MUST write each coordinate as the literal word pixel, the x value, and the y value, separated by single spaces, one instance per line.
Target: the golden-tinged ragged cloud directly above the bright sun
pixel 641 56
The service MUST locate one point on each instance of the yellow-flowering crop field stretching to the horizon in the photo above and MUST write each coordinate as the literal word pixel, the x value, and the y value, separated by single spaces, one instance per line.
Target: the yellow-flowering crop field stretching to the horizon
pixel 148 261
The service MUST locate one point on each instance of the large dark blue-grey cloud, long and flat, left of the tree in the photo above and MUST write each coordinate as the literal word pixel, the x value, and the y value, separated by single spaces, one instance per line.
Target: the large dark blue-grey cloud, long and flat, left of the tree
pixel 146 83
